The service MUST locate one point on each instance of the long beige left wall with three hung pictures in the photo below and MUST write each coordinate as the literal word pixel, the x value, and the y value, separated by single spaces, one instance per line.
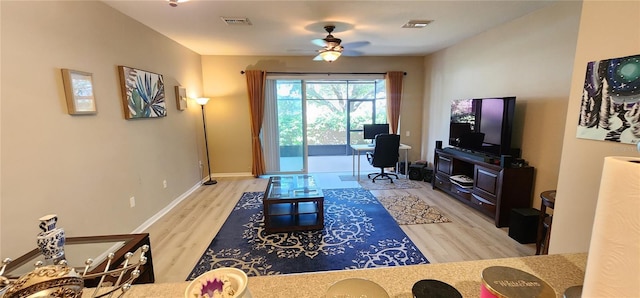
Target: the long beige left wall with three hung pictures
pixel 85 168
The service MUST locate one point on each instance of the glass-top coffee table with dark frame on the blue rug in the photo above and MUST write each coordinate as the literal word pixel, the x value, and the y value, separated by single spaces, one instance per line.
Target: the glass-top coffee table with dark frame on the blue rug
pixel 293 203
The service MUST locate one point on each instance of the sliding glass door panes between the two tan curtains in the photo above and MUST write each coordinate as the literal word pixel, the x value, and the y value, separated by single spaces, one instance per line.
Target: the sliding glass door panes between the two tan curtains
pixel 317 117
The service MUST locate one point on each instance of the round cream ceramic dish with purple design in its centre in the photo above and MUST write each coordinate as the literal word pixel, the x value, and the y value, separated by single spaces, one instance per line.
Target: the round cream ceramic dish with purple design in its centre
pixel 236 278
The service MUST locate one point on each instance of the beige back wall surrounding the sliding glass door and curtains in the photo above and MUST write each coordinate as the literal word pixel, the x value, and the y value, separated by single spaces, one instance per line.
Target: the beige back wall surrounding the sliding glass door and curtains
pixel 228 124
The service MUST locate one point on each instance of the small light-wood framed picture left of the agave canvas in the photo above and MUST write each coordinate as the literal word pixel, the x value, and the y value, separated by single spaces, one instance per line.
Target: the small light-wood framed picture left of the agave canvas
pixel 78 89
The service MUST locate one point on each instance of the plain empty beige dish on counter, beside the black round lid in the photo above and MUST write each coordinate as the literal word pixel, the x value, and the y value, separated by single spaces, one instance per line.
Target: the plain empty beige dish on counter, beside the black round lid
pixel 356 288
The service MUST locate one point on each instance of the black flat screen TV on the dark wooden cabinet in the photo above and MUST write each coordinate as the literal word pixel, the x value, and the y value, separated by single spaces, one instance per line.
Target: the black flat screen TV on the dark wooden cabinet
pixel 482 125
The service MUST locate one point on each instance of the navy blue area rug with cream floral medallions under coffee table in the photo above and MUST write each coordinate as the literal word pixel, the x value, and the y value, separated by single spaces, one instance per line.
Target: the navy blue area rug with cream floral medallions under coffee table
pixel 358 233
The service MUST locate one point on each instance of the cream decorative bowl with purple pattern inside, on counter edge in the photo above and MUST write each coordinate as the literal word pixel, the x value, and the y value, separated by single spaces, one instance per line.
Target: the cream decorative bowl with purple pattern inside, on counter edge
pixel 221 282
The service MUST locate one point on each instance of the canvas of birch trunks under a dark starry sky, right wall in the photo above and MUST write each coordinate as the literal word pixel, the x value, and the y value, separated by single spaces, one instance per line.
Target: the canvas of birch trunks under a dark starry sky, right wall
pixel 610 107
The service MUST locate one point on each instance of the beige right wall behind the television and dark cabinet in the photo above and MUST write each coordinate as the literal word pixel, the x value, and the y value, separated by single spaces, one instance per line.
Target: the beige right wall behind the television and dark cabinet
pixel 530 58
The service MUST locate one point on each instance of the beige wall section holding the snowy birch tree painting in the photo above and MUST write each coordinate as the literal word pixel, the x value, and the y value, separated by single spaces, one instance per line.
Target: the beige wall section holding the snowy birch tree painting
pixel 608 29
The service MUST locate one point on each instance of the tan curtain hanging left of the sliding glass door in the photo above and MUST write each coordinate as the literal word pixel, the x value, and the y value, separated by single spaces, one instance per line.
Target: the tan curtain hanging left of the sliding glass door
pixel 256 80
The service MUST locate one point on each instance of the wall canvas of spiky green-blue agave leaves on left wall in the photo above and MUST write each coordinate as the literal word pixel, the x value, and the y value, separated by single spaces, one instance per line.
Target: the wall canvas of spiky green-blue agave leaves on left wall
pixel 142 93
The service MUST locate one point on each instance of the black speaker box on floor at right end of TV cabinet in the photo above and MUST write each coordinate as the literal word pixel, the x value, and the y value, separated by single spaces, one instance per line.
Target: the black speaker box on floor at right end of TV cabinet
pixel 523 225
